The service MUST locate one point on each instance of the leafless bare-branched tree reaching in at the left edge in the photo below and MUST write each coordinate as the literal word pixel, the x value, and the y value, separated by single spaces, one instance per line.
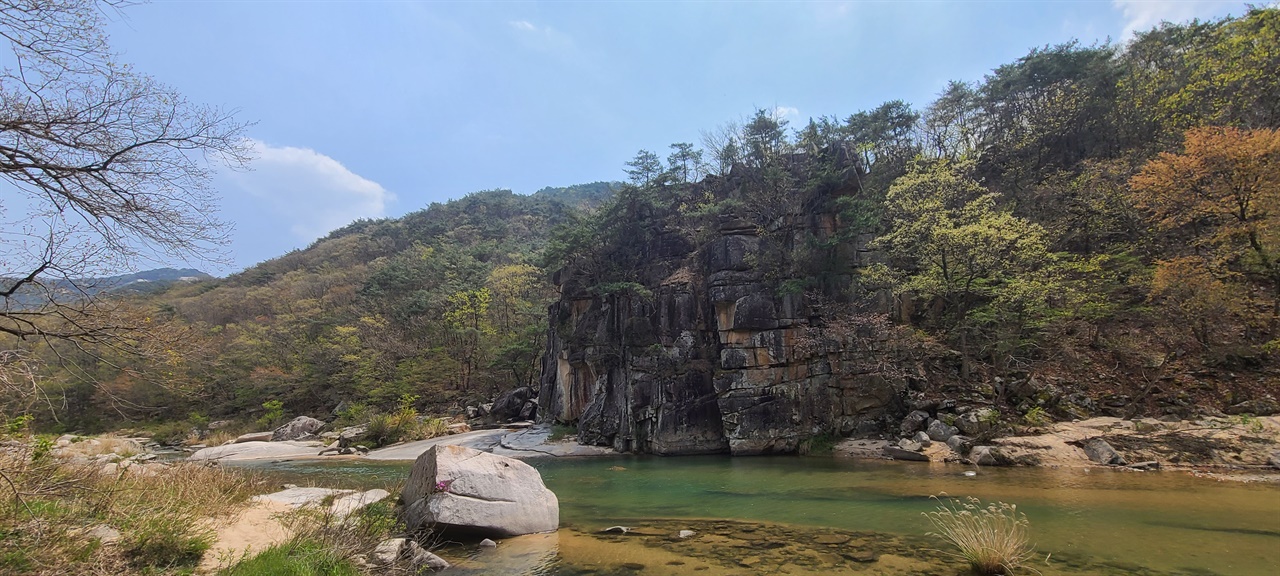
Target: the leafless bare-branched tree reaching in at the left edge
pixel 102 170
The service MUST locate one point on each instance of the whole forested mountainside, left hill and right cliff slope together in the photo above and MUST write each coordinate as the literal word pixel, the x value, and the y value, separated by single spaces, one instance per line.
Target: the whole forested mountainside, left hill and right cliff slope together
pixel 1089 230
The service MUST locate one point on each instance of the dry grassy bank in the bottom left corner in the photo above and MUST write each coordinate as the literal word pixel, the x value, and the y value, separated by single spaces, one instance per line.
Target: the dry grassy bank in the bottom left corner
pixel 60 518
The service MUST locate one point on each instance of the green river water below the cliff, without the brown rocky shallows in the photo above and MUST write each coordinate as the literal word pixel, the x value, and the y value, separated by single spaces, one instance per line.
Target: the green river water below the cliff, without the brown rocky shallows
pixel 1163 522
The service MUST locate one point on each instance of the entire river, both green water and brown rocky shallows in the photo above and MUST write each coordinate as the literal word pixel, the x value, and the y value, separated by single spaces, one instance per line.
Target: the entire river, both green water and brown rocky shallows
pixel 822 515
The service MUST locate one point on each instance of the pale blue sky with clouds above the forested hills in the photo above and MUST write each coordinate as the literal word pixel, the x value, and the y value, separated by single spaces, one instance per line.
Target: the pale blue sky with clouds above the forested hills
pixel 374 109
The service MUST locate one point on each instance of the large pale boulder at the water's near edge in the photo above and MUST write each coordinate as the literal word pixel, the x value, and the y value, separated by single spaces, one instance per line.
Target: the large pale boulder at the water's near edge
pixel 464 490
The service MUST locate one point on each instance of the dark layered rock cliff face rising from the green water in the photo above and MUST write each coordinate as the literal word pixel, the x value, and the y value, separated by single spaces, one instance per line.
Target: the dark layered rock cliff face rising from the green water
pixel 716 354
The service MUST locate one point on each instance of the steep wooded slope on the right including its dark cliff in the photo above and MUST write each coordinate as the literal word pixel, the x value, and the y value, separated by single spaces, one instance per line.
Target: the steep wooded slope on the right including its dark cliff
pixel 1089 231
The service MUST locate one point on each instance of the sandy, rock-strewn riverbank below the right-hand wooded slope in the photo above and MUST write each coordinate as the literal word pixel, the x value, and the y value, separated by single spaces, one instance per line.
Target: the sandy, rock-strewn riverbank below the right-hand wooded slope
pixel 1226 449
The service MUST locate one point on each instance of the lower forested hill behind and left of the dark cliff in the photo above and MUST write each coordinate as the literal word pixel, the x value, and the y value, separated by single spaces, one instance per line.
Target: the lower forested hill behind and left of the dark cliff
pixel 441 304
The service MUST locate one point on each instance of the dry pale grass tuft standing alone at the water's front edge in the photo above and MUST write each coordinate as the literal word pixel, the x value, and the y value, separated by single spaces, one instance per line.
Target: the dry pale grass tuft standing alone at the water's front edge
pixel 991 538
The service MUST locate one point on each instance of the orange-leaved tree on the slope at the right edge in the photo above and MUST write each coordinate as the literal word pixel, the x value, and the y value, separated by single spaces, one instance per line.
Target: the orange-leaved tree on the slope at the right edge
pixel 1223 190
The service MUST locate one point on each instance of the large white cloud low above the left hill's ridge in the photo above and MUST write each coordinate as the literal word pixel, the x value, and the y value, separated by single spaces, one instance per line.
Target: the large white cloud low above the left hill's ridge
pixel 310 193
